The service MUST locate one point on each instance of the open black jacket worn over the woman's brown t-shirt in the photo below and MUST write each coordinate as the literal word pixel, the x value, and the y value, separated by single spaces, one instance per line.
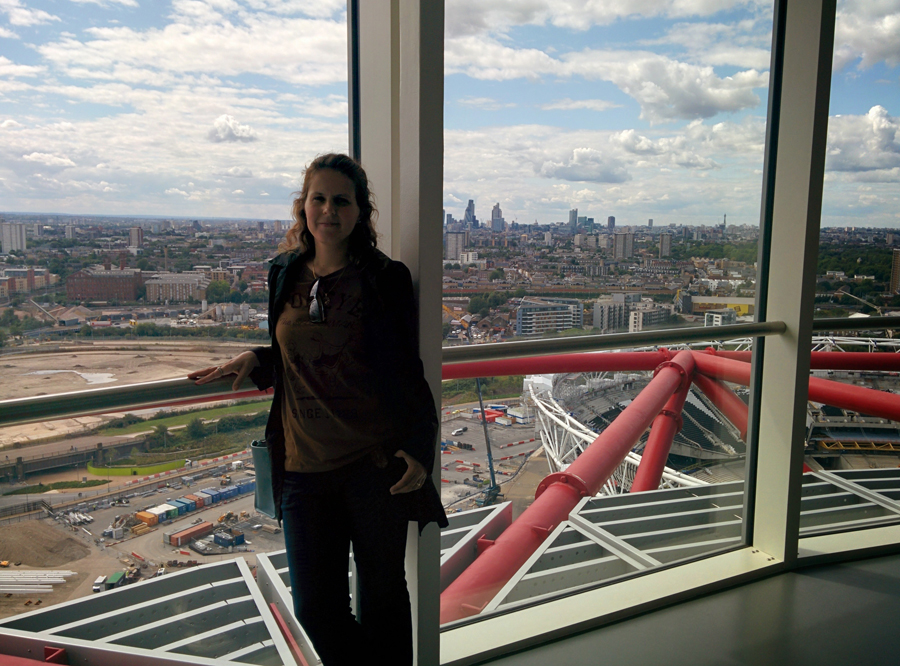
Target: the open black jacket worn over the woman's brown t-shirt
pixel 395 354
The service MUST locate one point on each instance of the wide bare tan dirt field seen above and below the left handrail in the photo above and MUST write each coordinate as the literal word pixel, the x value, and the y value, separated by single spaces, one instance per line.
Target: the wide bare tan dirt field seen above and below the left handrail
pixel 85 366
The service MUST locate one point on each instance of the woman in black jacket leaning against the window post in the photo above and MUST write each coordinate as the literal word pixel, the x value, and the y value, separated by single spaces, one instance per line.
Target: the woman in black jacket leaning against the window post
pixel 352 427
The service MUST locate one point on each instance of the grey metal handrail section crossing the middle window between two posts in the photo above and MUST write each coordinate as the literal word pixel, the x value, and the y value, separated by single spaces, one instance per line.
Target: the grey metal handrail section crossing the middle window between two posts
pixel 583 343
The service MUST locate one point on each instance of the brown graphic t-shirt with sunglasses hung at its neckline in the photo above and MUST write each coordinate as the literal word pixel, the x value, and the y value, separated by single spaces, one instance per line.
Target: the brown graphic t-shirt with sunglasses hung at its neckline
pixel 334 407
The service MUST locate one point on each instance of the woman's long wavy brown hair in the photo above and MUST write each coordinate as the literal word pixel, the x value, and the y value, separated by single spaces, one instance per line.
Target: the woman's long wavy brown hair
pixel 363 239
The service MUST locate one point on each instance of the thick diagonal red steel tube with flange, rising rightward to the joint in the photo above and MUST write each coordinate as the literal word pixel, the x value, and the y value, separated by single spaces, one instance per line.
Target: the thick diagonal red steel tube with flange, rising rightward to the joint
pixel 558 494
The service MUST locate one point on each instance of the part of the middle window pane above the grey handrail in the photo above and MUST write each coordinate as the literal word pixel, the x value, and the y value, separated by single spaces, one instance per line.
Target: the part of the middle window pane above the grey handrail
pixel 608 160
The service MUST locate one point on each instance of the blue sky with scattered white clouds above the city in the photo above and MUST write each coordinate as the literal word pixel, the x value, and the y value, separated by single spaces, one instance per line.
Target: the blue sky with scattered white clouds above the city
pixel 645 109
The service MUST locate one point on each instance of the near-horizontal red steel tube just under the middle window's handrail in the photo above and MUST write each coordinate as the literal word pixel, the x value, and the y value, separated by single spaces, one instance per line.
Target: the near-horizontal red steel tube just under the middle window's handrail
pixel 588 362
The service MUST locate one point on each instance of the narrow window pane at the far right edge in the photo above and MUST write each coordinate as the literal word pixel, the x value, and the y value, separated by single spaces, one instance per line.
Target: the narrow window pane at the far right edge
pixel 852 438
